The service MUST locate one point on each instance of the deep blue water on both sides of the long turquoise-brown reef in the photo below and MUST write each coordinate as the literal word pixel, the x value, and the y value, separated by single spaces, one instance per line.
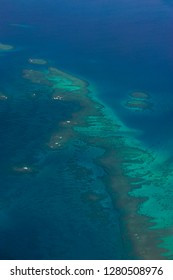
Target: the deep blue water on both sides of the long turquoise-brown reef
pixel 118 47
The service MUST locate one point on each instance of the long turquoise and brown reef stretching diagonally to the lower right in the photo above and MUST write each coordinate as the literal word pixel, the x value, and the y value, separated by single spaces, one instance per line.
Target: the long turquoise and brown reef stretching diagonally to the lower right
pixel 138 182
